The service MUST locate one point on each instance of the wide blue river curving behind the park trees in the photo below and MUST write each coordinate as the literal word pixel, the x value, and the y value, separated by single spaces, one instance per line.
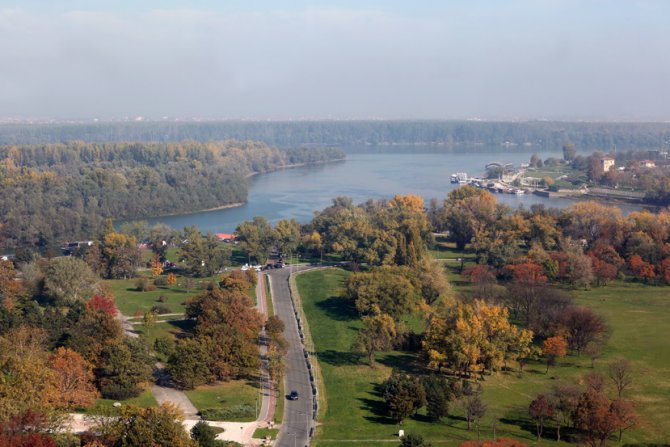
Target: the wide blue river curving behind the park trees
pixel 296 193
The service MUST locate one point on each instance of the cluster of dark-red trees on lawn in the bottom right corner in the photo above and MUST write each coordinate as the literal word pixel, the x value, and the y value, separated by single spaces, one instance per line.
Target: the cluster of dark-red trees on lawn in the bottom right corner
pixel 588 407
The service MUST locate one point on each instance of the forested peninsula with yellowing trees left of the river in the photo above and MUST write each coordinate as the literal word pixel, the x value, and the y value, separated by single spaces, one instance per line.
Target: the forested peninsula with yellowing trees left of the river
pixel 51 193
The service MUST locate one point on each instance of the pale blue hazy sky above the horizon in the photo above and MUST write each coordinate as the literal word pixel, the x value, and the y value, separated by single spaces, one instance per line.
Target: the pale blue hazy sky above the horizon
pixel 497 59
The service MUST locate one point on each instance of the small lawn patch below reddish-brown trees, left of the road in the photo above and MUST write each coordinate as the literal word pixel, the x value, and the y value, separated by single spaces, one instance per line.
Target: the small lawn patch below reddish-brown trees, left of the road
pixel 227 395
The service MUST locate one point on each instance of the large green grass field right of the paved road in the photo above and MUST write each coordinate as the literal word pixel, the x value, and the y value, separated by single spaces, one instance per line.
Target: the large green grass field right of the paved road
pixel 354 413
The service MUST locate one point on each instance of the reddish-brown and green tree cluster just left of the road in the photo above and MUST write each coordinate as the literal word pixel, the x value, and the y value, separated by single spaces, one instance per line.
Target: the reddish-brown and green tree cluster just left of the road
pixel 224 342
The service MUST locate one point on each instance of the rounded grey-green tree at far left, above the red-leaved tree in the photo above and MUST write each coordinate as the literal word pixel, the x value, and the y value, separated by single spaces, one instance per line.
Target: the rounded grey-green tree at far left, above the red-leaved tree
pixel 69 279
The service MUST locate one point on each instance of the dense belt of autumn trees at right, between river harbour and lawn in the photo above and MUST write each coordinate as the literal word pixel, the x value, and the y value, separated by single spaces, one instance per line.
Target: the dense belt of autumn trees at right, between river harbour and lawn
pixel 583 245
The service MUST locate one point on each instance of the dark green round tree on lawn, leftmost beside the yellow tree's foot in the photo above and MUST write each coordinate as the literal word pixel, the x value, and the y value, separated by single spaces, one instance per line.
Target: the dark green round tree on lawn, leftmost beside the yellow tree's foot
pixel 403 395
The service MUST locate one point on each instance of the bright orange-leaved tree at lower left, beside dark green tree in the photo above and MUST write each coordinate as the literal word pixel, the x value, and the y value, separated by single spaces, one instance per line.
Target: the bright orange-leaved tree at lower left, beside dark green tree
pixel 73 379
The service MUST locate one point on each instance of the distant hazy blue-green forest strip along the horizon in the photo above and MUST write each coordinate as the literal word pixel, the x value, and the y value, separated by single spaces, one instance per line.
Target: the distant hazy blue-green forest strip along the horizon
pixel 543 134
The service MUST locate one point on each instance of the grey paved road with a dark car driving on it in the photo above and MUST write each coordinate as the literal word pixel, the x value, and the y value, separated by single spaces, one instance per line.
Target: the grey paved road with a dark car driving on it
pixel 298 414
